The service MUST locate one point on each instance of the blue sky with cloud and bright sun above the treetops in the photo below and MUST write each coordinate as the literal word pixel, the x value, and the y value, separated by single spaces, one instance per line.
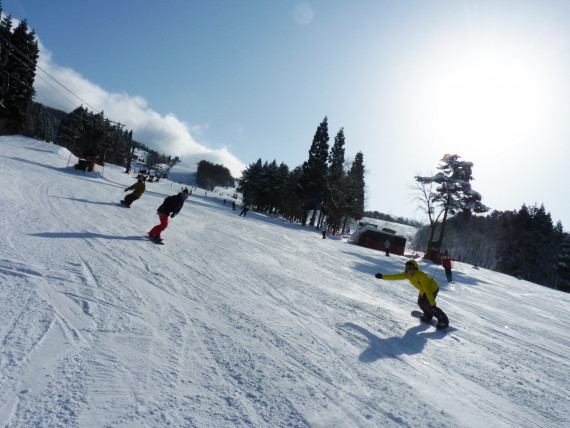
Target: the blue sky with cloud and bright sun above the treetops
pixel 234 81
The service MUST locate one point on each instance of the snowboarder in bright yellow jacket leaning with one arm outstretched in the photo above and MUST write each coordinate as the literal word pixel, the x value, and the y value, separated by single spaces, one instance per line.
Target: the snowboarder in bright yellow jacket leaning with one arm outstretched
pixel 428 290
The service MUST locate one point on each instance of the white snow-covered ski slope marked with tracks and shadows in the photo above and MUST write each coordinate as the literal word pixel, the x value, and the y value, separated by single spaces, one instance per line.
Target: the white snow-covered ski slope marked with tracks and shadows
pixel 245 322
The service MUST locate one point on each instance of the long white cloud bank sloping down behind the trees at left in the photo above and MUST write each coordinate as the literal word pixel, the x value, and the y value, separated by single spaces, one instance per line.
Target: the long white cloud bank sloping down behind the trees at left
pixel 166 134
